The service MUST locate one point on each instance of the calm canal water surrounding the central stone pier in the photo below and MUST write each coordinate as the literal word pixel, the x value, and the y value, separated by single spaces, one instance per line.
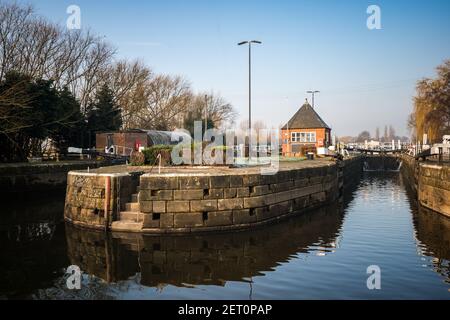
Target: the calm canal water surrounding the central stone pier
pixel 323 254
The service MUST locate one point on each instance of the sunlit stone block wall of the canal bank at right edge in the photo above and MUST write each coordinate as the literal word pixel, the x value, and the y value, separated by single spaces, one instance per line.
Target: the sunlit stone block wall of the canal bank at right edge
pixel 434 187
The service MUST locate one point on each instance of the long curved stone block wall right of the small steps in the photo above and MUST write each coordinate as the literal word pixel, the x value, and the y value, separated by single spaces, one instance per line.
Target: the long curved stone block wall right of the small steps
pixel 183 203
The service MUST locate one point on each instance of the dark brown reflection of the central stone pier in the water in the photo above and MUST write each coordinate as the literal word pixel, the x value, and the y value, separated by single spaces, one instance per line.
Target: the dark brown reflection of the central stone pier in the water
pixel 205 258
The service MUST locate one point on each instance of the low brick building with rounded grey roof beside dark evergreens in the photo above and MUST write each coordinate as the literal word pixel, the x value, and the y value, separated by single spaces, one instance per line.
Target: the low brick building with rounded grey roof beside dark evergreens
pixel 123 142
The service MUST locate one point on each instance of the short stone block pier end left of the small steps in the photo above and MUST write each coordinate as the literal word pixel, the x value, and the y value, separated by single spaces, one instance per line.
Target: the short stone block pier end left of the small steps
pixel 85 197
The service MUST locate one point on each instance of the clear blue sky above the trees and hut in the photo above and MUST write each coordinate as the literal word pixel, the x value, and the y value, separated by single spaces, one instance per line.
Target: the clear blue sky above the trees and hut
pixel 366 77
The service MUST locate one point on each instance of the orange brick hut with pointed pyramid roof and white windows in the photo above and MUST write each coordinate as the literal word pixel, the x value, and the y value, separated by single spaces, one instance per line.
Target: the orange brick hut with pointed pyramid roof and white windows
pixel 305 132
